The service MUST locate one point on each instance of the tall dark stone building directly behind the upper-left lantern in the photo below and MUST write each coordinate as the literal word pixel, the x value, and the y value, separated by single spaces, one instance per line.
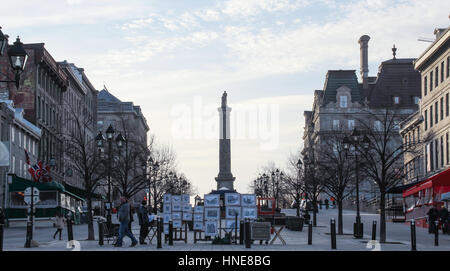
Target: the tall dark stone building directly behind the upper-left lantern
pixel 40 95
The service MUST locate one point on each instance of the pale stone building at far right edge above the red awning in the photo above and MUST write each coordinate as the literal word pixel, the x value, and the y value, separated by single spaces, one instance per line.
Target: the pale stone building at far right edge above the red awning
pixel 434 112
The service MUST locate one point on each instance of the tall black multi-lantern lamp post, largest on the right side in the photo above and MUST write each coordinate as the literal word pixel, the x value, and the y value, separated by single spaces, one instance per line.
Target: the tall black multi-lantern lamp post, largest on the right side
pixel 355 140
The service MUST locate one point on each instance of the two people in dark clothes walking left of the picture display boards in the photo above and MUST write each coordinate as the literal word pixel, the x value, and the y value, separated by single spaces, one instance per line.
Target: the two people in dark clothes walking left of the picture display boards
pixel 125 216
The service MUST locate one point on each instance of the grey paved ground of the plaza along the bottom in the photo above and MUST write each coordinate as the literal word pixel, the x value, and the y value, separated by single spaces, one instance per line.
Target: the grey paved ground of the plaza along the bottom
pixel 398 238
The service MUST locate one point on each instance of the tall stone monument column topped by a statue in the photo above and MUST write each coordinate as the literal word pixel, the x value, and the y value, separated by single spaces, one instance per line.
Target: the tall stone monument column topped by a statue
pixel 225 177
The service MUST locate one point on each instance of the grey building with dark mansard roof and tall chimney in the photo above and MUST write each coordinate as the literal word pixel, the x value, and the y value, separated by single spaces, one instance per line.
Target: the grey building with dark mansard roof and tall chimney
pixel 344 102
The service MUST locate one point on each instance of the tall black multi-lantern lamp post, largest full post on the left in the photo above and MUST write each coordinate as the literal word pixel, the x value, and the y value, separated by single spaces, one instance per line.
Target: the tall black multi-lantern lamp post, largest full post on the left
pixel 119 143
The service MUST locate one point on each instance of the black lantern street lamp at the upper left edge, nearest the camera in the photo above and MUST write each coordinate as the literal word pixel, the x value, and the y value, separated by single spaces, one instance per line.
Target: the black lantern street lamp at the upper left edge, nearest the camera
pixel 17 57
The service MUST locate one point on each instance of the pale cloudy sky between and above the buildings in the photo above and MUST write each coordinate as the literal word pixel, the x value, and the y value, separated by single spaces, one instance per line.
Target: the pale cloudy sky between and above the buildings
pixel 163 53
